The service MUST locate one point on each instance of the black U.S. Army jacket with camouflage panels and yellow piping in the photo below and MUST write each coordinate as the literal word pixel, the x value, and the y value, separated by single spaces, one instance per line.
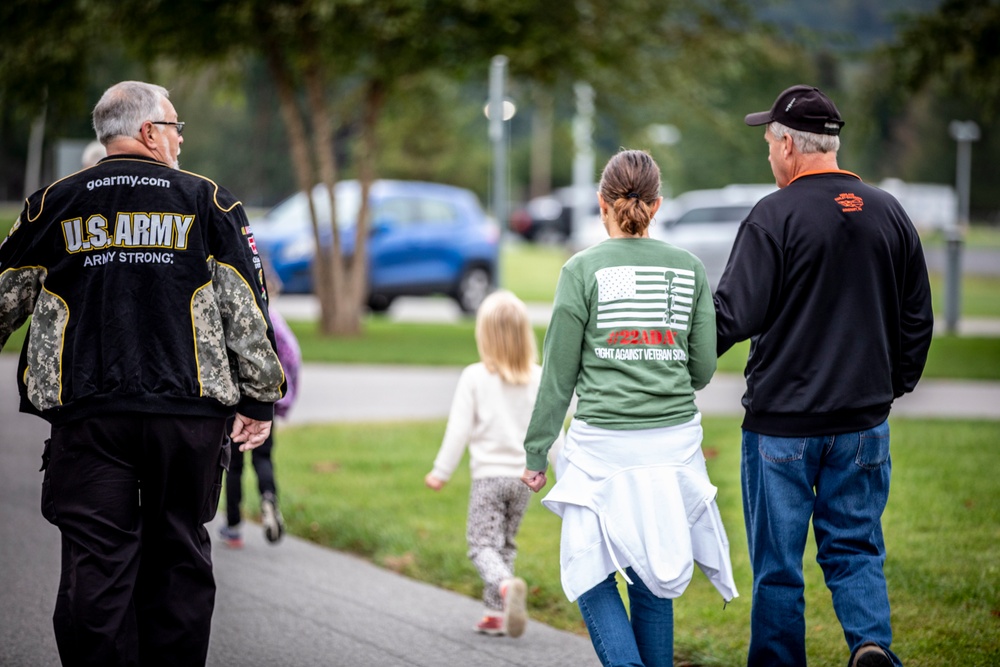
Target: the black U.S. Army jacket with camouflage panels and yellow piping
pixel 146 295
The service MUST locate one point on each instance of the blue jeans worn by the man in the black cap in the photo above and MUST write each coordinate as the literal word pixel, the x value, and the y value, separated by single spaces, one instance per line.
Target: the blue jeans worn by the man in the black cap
pixel 842 482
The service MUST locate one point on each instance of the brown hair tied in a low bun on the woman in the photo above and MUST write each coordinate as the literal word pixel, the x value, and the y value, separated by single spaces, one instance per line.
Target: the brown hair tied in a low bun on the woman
pixel 630 185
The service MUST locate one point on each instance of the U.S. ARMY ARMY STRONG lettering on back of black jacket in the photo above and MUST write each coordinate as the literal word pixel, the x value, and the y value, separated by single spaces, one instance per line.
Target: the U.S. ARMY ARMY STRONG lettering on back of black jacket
pixel 156 232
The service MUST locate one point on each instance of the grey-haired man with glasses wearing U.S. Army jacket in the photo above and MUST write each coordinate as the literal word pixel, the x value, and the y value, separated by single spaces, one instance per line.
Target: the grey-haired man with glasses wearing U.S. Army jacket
pixel 149 330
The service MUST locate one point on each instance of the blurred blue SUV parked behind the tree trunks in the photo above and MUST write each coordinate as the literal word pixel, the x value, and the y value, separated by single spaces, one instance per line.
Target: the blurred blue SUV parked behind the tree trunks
pixel 425 238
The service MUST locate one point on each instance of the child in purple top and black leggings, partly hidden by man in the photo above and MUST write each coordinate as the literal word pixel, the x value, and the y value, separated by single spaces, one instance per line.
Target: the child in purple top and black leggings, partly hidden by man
pixel 261 457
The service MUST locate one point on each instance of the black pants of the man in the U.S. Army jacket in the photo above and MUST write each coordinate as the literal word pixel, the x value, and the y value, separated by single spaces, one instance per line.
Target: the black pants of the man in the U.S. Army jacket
pixel 130 495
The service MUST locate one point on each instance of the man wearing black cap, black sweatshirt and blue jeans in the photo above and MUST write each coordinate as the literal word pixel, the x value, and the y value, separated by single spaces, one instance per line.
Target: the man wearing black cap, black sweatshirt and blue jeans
pixel 827 279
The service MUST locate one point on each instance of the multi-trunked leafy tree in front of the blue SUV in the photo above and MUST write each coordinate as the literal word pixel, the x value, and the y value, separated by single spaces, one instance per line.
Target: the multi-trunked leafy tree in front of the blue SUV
pixel 337 67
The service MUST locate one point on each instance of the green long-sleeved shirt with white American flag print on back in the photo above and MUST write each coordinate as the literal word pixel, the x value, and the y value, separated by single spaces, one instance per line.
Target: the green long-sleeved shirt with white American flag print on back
pixel 633 332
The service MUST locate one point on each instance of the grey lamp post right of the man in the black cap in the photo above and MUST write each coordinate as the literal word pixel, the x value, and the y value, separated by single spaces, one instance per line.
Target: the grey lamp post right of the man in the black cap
pixel 964 133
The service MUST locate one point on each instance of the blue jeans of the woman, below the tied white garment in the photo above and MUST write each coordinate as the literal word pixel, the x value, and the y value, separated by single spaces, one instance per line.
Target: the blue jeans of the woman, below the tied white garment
pixel 647 642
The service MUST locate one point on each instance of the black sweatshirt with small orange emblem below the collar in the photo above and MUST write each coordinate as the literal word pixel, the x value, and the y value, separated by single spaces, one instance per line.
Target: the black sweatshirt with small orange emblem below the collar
pixel 828 281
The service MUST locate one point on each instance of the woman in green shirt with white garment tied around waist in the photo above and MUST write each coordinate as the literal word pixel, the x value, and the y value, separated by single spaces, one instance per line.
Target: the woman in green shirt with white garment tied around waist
pixel 633 334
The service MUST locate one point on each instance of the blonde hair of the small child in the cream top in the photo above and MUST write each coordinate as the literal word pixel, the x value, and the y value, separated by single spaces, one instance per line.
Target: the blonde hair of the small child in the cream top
pixel 505 338
